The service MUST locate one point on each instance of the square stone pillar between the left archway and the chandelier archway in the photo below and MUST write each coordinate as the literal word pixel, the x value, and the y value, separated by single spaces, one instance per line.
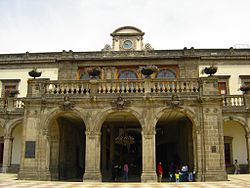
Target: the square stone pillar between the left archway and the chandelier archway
pixel 93 155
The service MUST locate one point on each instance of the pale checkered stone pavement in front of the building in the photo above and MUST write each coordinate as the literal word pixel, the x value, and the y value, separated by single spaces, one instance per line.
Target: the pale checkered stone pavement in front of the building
pixel 235 181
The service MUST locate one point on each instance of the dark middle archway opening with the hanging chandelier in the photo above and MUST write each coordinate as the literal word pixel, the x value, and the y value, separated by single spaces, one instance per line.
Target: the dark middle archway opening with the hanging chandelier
pixel 115 154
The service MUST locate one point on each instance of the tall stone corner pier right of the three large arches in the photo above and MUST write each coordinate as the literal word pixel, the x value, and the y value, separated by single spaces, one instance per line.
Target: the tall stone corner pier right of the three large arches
pixel 212 147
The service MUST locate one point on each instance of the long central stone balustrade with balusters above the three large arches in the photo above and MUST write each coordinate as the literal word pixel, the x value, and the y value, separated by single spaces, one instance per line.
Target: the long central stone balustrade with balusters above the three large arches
pixel 121 86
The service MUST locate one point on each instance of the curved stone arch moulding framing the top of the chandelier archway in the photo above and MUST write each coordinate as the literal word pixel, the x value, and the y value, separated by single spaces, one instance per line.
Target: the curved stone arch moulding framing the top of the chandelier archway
pixel 103 115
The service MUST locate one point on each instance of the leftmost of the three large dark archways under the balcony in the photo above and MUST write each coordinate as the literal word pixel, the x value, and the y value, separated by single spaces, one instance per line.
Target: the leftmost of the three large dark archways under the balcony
pixel 67 147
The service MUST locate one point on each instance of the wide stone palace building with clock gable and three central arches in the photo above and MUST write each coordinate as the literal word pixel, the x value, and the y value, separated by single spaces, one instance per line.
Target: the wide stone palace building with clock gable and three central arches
pixel 126 103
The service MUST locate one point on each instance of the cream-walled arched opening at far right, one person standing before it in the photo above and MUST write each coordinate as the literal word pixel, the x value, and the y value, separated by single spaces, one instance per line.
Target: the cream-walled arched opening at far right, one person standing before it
pixel 235 146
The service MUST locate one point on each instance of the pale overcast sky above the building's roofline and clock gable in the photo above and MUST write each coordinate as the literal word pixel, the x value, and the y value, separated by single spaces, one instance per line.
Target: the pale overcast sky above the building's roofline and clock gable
pixel 85 25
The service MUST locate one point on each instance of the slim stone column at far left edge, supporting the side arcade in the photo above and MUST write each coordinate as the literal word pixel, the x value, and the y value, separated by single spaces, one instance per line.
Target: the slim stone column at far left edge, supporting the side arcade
pixel 7 153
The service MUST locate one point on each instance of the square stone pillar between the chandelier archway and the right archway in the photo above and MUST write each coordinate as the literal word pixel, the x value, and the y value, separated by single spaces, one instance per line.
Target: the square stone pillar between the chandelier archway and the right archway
pixel 148 157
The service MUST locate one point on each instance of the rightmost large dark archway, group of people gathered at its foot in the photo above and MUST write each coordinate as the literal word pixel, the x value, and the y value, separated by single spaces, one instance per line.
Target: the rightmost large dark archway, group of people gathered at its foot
pixel 174 142
